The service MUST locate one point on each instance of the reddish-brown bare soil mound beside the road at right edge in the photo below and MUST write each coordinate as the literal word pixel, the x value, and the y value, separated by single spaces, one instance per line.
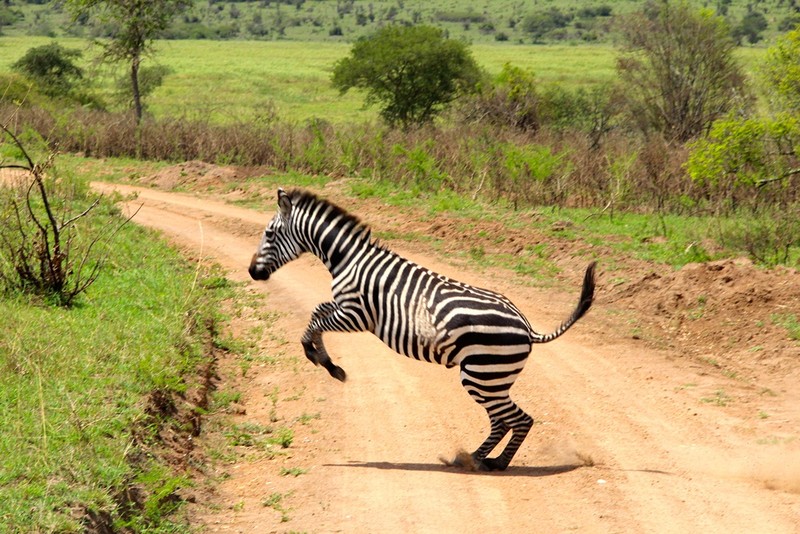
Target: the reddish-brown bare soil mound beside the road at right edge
pixel 728 309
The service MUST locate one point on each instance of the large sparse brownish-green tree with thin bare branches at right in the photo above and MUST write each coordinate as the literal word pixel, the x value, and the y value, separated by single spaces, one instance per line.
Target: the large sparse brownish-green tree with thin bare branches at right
pixel 678 69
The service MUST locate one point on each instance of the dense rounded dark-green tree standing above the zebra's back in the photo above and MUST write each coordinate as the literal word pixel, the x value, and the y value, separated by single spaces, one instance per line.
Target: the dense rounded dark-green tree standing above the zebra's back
pixel 413 72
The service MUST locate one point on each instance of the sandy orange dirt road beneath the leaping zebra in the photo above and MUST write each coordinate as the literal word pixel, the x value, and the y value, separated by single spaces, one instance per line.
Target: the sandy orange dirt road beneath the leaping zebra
pixel 628 439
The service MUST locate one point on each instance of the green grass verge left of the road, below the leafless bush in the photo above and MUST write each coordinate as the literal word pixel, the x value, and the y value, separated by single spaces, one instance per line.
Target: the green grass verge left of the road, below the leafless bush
pixel 74 388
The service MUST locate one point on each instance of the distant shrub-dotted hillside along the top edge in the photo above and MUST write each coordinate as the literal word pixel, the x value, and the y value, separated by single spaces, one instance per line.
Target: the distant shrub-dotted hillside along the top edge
pixel 504 21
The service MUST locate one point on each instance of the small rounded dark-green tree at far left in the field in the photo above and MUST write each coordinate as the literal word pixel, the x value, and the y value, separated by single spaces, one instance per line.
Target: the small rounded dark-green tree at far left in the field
pixel 51 67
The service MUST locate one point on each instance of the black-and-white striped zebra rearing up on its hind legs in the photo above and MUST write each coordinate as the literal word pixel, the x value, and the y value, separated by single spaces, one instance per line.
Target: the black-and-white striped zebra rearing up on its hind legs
pixel 416 312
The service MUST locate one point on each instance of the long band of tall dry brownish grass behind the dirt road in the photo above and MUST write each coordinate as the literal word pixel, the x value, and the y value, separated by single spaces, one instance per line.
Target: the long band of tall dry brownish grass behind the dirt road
pixel 547 167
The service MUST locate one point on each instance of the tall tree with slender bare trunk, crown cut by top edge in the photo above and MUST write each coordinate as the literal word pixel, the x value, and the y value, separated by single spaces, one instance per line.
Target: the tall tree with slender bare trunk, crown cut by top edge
pixel 136 24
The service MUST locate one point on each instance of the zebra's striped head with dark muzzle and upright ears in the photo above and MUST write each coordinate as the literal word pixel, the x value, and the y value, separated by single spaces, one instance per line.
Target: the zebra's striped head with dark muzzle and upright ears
pixel 278 245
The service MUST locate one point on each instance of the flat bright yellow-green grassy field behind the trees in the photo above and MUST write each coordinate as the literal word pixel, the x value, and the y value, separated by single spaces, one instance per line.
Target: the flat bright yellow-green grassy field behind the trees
pixel 229 81
